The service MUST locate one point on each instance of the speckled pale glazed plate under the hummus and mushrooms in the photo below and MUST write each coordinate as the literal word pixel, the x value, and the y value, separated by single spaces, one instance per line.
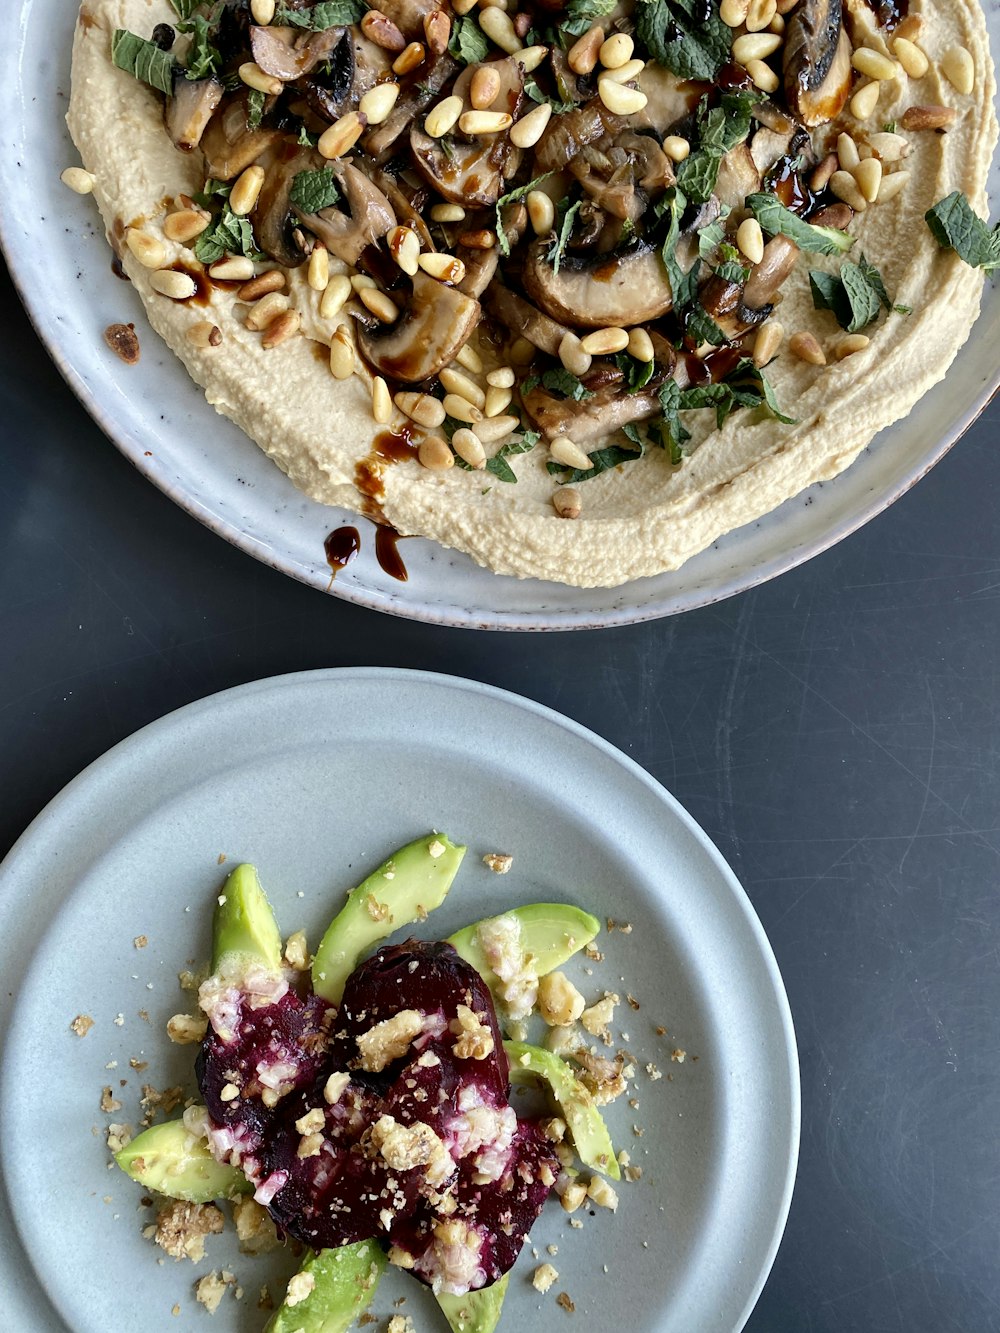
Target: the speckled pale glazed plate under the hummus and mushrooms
pixel 159 419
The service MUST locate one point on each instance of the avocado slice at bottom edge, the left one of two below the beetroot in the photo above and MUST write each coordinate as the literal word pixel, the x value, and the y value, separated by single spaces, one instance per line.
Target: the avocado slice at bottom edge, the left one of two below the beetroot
pixel 345 1283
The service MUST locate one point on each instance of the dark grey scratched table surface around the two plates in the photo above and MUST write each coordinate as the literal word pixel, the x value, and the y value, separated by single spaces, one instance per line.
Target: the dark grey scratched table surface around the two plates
pixel 837 732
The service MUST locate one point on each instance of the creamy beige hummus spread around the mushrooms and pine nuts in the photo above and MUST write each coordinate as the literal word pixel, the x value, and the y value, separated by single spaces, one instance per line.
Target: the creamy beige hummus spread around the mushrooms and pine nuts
pixel 639 518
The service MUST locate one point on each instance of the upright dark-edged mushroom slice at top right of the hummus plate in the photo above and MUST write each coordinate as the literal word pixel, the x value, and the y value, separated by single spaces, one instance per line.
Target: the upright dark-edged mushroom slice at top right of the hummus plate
pixel 818 71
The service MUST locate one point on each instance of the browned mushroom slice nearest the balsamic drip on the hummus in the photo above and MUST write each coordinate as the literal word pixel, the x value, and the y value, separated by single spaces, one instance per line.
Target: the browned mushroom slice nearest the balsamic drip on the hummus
pixel 434 327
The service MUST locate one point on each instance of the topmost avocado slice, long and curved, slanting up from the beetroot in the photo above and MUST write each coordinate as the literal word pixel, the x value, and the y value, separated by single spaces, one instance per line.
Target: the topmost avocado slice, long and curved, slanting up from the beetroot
pixel 413 883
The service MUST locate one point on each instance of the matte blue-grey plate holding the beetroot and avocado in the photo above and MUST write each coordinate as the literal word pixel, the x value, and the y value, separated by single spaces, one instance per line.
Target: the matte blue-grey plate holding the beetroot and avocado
pixel 317 778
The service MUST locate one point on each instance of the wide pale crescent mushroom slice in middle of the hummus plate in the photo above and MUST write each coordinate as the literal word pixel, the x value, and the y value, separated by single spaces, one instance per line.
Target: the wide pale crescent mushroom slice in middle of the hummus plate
pixel 613 291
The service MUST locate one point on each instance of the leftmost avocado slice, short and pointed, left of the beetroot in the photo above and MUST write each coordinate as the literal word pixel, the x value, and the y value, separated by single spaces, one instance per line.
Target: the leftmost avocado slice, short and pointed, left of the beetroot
pixel 169 1159
